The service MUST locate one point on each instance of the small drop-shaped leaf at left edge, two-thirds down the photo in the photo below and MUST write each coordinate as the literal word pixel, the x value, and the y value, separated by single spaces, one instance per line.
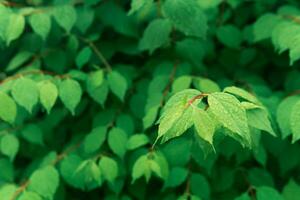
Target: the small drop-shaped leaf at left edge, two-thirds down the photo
pixel 9 145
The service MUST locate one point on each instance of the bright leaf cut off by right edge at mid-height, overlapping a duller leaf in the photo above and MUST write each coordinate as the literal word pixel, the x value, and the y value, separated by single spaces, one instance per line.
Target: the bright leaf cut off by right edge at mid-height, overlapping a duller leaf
pixel 294 121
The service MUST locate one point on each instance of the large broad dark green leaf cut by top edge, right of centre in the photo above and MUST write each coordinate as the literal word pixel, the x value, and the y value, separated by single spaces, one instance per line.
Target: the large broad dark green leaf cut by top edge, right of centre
pixel 187 16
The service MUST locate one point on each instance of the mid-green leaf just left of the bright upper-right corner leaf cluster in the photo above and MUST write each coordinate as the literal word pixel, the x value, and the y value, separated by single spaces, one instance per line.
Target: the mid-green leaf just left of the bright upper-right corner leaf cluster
pixel 259 29
